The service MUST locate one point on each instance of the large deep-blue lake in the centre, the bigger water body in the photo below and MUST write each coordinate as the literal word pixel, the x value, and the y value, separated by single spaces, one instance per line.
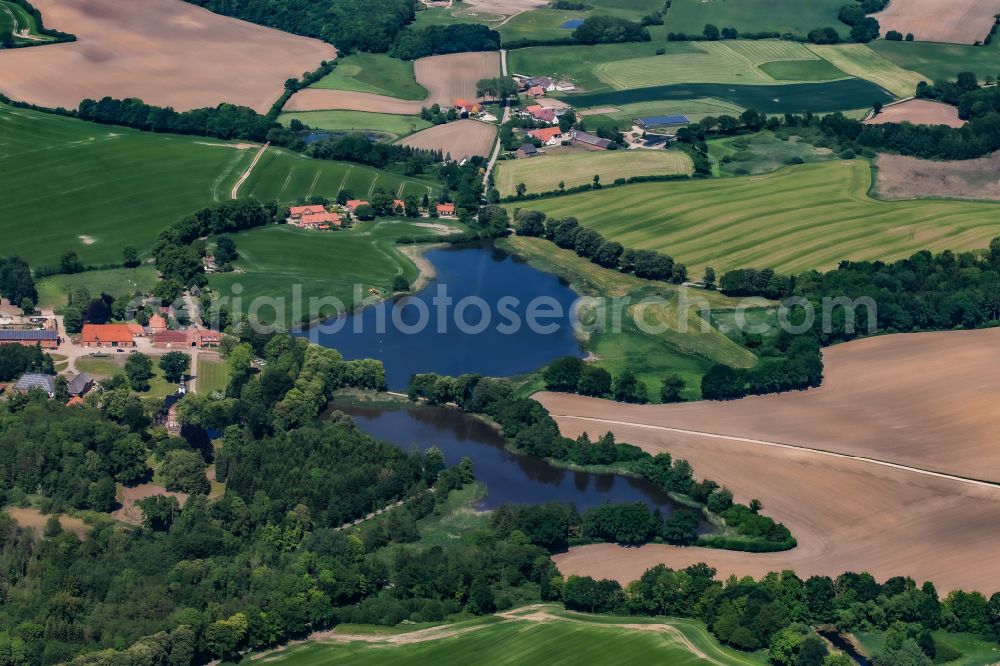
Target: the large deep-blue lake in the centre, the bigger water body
pixel 459 336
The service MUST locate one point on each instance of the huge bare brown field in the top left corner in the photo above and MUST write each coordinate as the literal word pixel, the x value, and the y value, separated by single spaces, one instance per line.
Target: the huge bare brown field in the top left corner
pixel 166 52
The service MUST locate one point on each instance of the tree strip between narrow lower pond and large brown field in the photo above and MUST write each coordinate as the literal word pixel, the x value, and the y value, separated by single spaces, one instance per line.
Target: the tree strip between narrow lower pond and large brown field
pixel 528 427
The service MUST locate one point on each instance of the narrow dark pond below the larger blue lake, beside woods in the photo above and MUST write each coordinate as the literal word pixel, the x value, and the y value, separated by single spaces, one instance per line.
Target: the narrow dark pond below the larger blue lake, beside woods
pixel 511 478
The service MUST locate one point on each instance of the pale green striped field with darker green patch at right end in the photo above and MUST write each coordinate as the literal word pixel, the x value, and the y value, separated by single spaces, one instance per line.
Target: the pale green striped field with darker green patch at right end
pixel 720 62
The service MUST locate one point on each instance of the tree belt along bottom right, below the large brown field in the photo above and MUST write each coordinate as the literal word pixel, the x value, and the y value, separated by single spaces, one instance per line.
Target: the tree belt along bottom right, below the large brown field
pixel 777 611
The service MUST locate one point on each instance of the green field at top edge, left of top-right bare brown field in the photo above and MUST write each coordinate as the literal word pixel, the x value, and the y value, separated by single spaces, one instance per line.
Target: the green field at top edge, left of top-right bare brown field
pixel 795 16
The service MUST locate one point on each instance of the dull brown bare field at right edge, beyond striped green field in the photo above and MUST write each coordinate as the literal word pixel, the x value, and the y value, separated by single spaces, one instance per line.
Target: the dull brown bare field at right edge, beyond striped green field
pixel 912 178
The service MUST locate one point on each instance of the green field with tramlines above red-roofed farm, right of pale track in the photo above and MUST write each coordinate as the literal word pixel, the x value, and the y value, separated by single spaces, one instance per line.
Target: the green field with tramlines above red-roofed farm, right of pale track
pixel 290 177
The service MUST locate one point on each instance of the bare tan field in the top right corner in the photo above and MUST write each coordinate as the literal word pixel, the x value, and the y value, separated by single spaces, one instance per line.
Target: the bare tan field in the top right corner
pixel 956 21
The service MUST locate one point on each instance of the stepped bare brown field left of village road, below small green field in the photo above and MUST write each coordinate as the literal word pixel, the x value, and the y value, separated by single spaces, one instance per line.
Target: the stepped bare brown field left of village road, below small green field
pixel 445 77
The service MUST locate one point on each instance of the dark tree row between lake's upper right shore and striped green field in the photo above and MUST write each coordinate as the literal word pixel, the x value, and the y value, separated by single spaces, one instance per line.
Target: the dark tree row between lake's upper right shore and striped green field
pixel 567 233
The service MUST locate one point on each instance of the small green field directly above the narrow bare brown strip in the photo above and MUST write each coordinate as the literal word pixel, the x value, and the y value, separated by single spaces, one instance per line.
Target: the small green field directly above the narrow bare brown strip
pixel 374 73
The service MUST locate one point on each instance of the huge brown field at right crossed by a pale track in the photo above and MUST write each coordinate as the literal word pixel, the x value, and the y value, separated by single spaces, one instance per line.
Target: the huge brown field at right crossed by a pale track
pixel 913 401
